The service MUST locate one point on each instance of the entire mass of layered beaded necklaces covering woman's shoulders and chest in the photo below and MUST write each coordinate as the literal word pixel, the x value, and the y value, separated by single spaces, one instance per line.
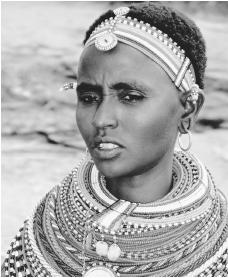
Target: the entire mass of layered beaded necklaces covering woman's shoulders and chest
pixel 79 228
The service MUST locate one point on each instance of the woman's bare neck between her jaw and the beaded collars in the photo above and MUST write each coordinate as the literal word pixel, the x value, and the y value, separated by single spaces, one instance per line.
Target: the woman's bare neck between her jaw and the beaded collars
pixel 146 187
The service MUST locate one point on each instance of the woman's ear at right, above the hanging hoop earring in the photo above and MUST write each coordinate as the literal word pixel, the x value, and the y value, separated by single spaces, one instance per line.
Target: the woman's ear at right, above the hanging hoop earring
pixel 191 110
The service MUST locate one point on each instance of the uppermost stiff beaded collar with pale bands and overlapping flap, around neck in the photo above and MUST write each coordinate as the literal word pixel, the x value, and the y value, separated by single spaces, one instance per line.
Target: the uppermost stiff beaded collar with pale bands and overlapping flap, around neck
pixel 190 199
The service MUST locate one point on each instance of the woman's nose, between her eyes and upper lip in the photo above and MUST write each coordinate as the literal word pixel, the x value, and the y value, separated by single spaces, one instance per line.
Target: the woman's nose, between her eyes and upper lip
pixel 105 115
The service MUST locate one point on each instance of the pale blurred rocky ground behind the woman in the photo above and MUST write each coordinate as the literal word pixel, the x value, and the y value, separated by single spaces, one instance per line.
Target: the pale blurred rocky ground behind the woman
pixel 41 44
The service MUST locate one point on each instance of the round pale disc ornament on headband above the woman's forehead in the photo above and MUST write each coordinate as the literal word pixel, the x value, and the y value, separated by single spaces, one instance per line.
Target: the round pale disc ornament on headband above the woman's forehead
pixel 106 41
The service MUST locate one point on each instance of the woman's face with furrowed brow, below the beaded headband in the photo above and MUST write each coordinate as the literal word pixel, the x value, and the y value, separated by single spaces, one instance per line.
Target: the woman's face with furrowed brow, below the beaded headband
pixel 128 110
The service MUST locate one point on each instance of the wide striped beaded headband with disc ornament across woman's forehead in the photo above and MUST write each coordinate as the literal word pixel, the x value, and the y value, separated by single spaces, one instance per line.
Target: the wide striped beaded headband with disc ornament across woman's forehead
pixel 149 40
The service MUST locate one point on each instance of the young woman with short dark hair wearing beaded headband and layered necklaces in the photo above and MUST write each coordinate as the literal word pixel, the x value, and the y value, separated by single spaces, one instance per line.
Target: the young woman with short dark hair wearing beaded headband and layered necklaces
pixel 134 206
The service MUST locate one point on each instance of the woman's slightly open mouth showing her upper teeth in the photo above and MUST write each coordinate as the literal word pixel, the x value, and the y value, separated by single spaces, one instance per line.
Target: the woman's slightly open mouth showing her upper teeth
pixel 107 150
